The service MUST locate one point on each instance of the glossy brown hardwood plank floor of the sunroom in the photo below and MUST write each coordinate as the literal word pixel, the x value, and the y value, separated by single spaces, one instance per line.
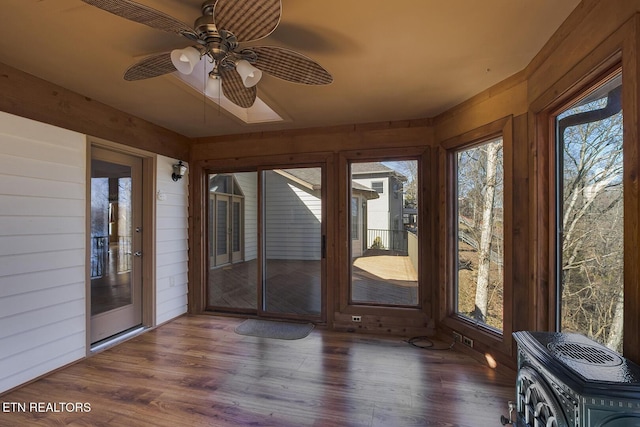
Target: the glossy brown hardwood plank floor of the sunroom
pixel 196 371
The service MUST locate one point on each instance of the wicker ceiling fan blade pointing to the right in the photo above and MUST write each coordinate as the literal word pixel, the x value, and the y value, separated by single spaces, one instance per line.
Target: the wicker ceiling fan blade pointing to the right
pixel 291 66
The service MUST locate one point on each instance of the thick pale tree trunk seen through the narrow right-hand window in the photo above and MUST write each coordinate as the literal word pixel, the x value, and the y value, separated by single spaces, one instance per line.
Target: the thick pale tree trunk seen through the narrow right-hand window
pixel 484 253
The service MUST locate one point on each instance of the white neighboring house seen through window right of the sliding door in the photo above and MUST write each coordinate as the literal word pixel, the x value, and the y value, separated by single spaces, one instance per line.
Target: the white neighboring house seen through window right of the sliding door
pixel 384 214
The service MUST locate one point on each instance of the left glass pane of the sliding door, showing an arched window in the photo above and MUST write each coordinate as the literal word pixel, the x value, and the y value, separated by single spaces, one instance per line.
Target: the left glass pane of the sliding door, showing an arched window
pixel 233 270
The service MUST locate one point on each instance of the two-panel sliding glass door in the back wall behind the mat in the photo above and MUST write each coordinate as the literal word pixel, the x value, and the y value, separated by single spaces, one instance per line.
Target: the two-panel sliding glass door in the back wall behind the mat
pixel 265 241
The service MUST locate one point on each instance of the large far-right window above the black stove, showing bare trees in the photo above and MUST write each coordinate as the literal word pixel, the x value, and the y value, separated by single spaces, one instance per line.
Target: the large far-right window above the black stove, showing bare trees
pixel 589 218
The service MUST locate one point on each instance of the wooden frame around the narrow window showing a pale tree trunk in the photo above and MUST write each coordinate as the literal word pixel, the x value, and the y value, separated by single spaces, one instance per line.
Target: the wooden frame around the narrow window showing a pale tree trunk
pixel 485 337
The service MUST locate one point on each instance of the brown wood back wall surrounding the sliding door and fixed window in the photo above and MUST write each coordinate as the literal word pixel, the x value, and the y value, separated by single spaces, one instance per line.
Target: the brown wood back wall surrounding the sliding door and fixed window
pixel 332 147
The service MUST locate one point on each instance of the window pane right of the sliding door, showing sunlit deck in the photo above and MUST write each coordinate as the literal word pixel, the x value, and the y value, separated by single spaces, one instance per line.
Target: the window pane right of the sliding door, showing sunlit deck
pixel 384 259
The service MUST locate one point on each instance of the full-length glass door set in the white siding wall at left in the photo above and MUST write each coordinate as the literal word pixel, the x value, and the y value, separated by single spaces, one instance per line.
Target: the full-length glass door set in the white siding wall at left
pixel 116 243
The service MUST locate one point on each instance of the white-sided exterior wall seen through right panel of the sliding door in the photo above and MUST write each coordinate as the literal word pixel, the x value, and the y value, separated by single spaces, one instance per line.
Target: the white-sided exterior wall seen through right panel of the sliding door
pixel 293 220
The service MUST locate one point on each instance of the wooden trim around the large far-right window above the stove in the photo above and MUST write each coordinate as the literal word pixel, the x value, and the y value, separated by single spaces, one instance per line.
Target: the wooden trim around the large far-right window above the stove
pixel 618 50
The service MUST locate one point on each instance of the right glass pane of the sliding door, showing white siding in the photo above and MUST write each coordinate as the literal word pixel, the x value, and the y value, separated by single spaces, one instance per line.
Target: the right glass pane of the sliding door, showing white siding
pixel 293 241
